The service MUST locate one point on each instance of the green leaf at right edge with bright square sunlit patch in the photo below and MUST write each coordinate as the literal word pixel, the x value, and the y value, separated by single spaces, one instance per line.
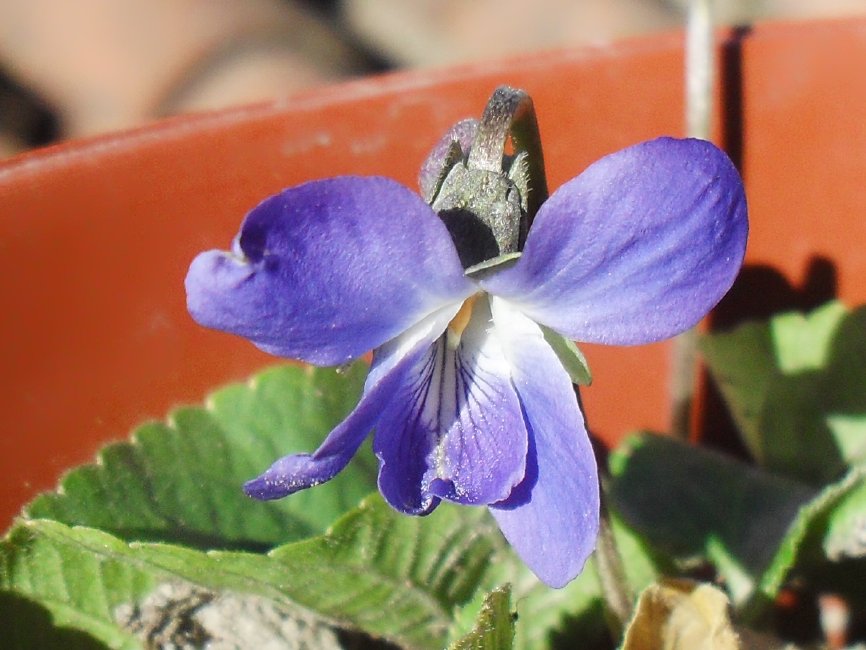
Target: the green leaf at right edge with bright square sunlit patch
pixel 795 388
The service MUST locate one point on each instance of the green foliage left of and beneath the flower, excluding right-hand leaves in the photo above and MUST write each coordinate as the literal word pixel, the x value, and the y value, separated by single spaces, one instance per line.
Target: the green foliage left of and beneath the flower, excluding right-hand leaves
pixel 161 522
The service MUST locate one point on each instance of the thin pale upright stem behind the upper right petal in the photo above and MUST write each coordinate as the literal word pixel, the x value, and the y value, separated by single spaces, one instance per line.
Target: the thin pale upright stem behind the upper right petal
pixel 699 73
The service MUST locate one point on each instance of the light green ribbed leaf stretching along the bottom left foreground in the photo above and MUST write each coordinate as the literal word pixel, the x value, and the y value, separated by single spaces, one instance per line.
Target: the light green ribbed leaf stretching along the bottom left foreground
pixel 393 576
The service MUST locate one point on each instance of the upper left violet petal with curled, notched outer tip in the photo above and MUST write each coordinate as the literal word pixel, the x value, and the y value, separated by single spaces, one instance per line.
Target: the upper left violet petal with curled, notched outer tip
pixel 329 270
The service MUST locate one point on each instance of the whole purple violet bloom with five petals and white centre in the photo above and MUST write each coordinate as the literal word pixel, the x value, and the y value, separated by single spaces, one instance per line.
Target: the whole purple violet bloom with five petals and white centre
pixel 467 396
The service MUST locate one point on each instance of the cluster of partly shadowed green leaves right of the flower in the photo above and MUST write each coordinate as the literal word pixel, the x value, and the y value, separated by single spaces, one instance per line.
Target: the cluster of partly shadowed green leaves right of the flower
pixel 796 387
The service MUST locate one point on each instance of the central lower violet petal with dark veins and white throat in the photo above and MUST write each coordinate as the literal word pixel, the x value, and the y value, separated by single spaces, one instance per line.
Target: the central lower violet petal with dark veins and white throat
pixel 454 429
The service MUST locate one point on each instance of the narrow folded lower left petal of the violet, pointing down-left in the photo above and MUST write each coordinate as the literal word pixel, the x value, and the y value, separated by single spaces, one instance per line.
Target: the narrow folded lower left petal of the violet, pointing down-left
pixel 393 361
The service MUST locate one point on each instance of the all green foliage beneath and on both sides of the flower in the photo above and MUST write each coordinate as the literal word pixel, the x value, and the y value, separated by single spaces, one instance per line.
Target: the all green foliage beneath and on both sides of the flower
pixel 162 519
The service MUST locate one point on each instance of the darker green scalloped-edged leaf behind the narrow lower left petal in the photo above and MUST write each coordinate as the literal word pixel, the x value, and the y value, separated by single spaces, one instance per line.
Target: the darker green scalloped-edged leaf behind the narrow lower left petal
pixel 181 481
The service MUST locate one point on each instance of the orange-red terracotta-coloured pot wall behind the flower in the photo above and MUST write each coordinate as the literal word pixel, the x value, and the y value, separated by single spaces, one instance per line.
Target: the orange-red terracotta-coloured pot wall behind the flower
pixel 96 235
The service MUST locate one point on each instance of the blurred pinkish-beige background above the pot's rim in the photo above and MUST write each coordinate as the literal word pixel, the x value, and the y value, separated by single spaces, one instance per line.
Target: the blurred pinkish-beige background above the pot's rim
pixel 72 69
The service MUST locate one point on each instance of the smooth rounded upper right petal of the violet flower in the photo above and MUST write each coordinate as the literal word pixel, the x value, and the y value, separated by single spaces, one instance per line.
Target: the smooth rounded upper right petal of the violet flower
pixel 636 249
